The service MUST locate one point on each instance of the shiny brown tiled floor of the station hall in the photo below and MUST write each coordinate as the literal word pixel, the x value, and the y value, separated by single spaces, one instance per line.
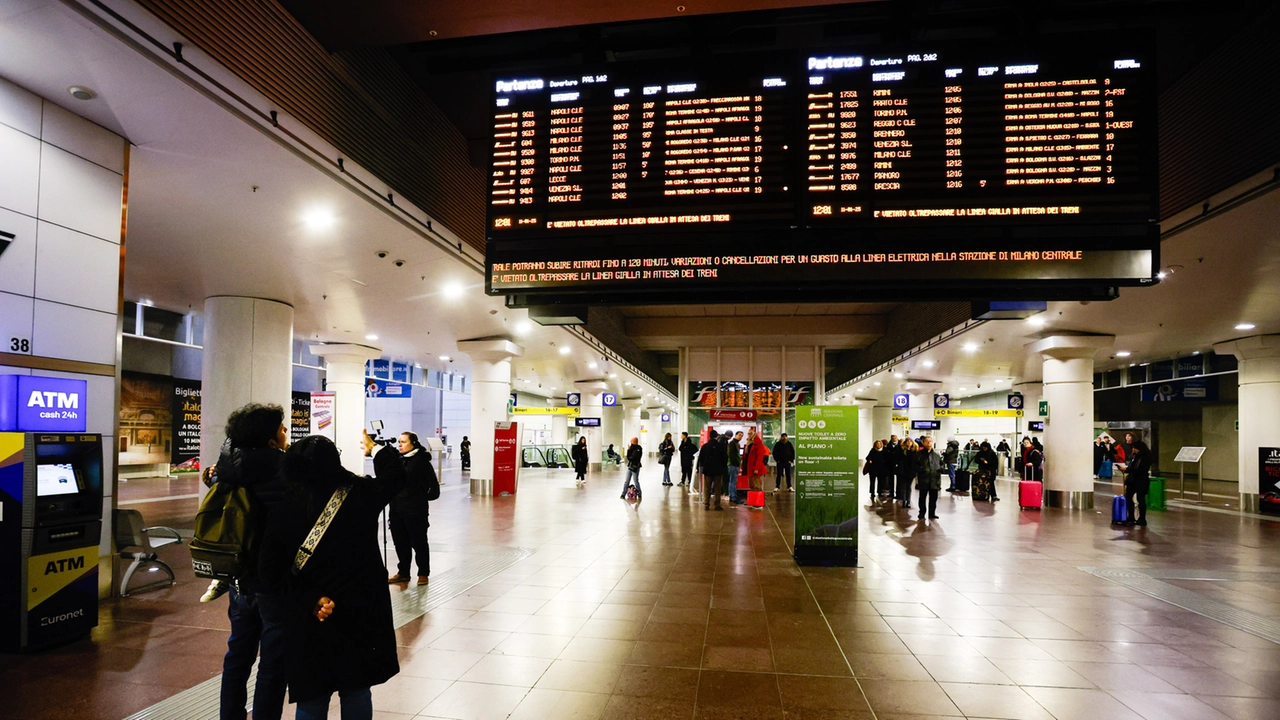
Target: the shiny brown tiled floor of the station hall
pixel 664 610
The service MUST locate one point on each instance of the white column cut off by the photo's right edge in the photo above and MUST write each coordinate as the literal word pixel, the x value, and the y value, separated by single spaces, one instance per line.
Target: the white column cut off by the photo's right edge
pixel 1259 407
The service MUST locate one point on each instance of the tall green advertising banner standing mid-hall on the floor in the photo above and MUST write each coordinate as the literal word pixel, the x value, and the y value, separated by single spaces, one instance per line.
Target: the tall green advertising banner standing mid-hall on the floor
pixel 826 523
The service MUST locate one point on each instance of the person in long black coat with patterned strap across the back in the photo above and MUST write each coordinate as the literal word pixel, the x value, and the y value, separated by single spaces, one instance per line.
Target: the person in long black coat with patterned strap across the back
pixel 340 636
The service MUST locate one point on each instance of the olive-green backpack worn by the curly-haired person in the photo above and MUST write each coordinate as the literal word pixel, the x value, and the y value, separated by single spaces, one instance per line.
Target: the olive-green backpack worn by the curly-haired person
pixel 227 528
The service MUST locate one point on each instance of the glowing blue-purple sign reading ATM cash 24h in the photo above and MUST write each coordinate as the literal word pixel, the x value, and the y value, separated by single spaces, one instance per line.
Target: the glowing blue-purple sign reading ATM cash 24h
pixel 35 404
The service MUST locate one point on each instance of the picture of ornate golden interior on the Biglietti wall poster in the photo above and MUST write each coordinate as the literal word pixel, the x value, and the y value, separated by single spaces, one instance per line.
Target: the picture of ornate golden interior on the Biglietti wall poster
pixel 147 413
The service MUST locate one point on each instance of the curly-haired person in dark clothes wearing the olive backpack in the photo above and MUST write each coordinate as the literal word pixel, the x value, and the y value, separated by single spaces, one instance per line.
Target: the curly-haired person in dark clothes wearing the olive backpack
pixel 252 458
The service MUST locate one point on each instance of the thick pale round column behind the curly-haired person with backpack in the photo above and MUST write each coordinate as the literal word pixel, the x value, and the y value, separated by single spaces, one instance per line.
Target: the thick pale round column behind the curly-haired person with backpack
pixel 248 358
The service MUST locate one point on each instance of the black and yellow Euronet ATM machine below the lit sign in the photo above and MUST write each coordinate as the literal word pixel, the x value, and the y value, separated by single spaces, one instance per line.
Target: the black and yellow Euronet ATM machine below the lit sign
pixel 51 526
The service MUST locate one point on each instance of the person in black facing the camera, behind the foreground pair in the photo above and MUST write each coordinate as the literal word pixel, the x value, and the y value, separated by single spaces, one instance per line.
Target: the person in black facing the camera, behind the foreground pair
pixel 410 514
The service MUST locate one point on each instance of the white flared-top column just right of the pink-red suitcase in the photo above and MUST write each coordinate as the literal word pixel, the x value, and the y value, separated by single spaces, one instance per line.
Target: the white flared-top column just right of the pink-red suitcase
pixel 1068 377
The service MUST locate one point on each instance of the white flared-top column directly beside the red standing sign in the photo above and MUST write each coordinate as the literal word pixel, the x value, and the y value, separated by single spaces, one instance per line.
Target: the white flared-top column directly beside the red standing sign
pixel 491 390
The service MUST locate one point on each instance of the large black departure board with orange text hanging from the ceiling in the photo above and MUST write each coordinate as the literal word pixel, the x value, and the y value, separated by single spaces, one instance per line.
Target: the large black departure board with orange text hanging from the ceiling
pixel 964 166
